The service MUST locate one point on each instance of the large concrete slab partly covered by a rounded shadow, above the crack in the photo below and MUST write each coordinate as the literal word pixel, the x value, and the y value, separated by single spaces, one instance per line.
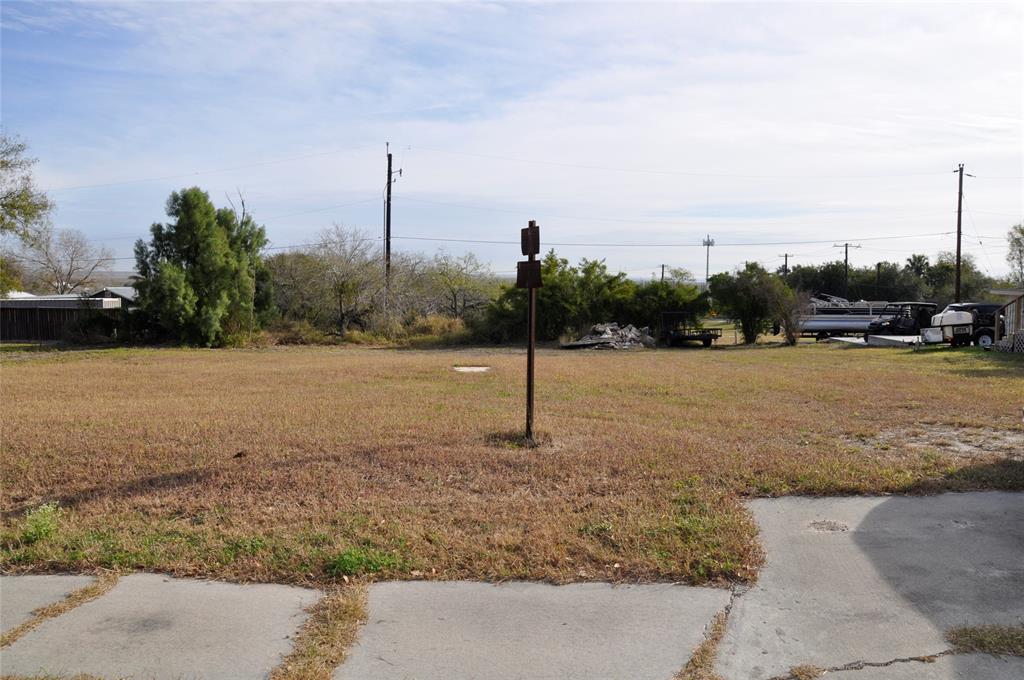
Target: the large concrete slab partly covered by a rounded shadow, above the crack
pixel 875 579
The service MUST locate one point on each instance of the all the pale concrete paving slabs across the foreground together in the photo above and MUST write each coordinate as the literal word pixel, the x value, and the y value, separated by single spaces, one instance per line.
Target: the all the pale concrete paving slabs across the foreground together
pixel 855 585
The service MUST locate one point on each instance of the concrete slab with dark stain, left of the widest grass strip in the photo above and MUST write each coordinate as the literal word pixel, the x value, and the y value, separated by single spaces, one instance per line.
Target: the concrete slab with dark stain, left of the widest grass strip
pixel 154 627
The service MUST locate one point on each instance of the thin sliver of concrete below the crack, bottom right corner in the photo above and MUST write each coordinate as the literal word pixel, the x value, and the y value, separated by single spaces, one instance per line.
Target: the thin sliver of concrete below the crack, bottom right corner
pixel 968 667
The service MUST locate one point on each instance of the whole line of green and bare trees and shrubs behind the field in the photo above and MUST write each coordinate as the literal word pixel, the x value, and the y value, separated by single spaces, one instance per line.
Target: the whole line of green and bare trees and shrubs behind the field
pixel 207 278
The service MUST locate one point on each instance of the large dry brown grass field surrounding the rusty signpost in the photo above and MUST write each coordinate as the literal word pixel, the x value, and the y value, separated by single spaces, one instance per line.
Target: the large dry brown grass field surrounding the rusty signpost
pixel 315 465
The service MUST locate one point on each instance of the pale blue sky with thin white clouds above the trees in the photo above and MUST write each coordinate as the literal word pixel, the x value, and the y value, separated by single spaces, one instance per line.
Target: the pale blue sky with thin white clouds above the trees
pixel 630 132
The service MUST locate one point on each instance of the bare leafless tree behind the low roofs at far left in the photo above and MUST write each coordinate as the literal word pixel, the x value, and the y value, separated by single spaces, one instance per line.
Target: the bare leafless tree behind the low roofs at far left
pixel 64 262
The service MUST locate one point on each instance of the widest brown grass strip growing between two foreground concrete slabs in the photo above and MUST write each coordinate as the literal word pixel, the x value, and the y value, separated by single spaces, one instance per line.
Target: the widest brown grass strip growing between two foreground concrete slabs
pixel 325 639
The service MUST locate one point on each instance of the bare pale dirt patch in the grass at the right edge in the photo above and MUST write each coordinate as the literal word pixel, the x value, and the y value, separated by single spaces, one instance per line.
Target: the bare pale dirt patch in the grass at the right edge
pixel 965 443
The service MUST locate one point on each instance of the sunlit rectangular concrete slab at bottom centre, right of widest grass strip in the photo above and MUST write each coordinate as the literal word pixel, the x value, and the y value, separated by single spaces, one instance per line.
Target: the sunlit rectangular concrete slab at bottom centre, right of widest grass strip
pixel 473 631
